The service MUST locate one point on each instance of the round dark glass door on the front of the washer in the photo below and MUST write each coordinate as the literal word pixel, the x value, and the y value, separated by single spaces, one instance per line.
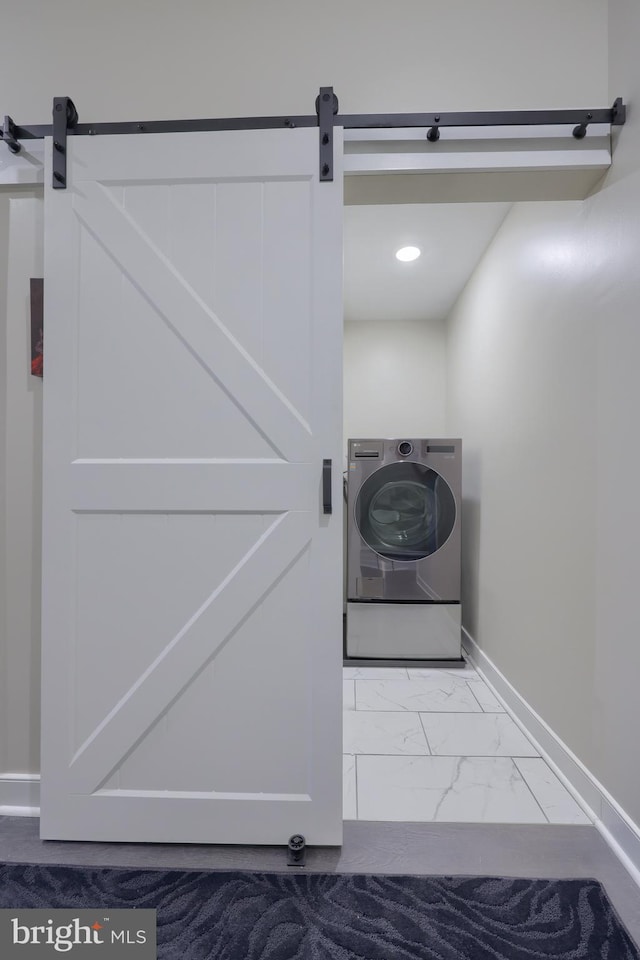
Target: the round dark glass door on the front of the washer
pixel 405 511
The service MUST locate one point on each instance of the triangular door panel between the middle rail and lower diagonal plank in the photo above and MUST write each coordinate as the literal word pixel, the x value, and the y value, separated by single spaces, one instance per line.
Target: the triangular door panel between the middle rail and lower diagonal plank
pixel 113 652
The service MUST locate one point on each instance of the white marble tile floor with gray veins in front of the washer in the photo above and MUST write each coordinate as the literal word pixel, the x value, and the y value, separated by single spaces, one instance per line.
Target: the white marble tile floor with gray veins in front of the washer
pixel 435 745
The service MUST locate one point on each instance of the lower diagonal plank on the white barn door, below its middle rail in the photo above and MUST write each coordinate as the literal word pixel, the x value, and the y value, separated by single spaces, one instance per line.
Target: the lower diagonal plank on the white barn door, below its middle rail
pixel 200 639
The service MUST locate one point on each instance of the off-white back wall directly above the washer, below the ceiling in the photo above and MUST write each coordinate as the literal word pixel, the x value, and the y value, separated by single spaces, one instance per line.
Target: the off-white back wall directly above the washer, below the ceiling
pixel 394 379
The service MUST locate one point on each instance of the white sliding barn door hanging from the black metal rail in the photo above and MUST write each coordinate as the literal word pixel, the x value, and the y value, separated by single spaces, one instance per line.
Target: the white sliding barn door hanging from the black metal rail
pixel 192 608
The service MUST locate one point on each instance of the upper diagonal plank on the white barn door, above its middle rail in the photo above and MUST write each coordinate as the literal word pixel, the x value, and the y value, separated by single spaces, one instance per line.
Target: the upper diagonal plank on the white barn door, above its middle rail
pixel 195 325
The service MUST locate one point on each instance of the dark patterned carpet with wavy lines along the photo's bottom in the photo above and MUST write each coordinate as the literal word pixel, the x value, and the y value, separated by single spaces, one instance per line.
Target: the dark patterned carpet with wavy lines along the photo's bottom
pixel 282 916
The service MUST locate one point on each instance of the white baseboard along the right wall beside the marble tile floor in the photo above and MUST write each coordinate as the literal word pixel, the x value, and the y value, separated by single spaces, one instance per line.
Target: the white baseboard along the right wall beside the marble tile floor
pixel 618 829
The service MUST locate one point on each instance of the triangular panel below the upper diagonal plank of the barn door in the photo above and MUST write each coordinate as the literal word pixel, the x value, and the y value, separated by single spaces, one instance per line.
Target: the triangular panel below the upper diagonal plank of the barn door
pixel 173 406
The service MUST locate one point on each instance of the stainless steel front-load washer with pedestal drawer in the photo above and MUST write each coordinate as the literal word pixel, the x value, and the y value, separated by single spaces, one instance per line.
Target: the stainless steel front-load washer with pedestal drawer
pixel 403 549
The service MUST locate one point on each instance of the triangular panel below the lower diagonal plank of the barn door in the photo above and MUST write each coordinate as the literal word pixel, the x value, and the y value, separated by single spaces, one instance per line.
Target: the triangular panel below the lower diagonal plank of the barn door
pixel 228 685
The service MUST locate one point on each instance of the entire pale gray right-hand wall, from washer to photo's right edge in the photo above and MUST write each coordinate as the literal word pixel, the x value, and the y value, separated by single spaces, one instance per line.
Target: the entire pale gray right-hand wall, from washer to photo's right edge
pixel 544 387
